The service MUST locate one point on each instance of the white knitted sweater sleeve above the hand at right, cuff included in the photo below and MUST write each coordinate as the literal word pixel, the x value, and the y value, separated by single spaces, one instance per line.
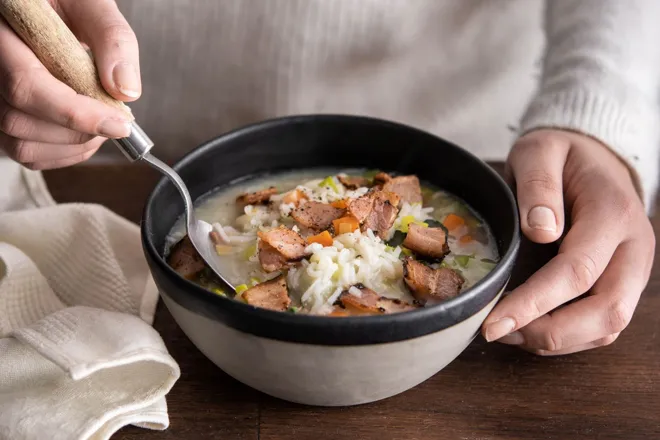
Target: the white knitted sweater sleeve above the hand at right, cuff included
pixel 601 77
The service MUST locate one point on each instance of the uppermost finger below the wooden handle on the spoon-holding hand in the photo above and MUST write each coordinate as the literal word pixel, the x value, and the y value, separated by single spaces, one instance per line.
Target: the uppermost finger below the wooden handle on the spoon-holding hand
pixel 26 85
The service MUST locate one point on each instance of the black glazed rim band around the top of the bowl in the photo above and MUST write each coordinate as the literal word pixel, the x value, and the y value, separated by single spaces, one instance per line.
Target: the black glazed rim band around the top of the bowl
pixel 314 322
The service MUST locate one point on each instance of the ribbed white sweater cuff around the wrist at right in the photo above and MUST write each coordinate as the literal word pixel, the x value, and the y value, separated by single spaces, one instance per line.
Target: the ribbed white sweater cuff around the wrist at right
pixel 629 129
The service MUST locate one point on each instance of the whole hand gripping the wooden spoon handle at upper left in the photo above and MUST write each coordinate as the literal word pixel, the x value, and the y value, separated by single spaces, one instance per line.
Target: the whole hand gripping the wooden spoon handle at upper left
pixel 44 123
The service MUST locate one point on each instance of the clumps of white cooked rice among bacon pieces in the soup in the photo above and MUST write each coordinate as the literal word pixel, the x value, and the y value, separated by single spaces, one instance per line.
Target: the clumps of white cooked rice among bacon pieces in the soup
pixel 355 258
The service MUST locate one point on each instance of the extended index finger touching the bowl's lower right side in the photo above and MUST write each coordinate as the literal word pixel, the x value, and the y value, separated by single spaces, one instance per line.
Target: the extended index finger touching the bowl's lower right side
pixel 582 258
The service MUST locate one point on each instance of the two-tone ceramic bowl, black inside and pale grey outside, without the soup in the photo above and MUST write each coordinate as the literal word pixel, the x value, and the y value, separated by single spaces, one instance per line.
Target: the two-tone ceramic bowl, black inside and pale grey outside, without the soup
pixel 319 360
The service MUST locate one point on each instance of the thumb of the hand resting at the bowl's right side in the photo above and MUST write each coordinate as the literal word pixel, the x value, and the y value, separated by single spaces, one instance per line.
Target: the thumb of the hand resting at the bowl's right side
pixel 537 163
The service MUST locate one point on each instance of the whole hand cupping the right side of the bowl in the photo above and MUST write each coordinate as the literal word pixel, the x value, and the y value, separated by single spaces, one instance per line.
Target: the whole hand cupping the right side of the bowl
pixel 608 250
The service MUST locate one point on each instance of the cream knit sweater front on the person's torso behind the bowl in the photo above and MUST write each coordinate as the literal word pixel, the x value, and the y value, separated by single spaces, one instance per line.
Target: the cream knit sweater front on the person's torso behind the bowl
pixel 450 67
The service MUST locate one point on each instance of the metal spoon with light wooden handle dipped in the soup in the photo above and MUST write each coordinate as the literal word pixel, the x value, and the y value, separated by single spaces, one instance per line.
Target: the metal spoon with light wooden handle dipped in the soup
pixel 61 53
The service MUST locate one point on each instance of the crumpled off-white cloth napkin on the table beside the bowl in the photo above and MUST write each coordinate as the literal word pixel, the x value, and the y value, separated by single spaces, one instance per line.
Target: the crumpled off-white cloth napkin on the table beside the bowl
pixel 78 356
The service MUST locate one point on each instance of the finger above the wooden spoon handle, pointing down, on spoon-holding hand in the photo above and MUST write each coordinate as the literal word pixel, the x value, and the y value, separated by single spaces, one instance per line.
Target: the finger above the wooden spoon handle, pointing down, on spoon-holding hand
pixel 100 24
